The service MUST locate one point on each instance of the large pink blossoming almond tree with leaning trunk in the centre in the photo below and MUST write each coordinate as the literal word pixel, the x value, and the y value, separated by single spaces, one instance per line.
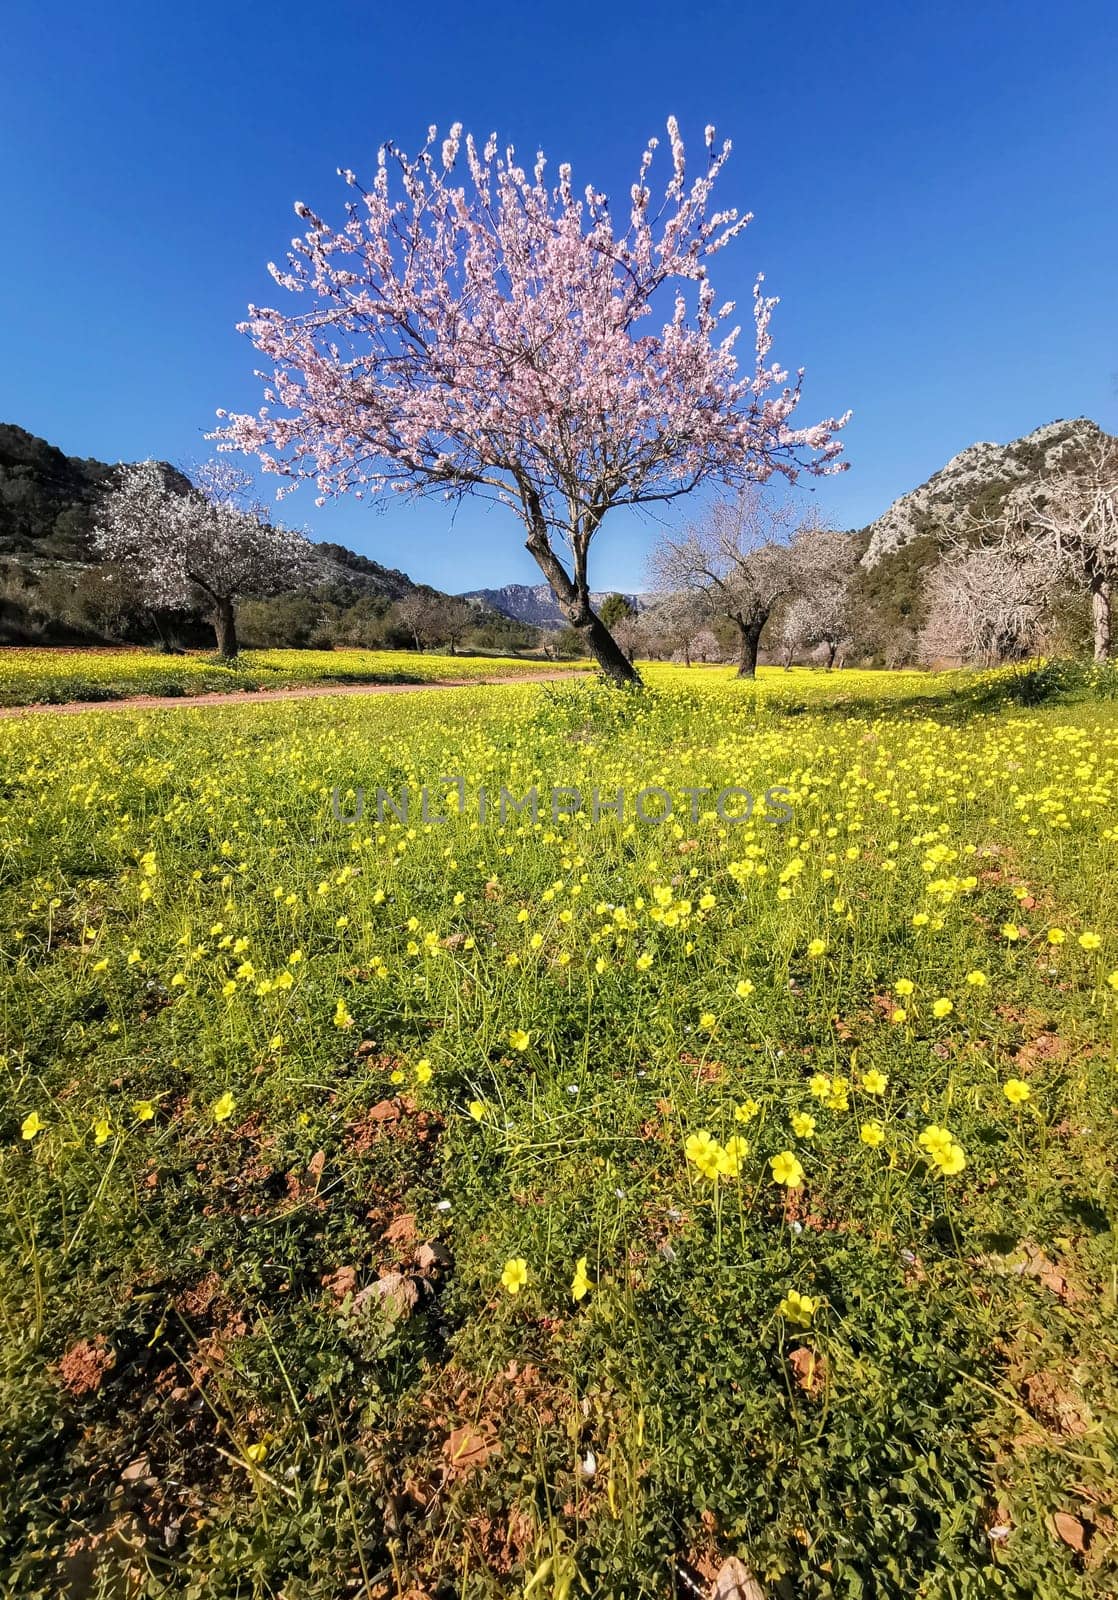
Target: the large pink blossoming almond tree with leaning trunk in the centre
pixel 482 334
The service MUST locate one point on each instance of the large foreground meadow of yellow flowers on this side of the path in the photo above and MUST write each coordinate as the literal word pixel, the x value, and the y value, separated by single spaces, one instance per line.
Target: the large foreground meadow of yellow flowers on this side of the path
pixel 479 1209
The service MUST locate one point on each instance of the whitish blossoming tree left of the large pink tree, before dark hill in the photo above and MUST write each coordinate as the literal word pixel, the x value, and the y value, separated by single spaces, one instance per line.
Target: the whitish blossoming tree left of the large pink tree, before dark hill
pixel 206 548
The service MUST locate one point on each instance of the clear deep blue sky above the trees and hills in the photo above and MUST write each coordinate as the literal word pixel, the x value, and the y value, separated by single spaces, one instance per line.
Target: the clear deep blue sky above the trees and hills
pixel 935 191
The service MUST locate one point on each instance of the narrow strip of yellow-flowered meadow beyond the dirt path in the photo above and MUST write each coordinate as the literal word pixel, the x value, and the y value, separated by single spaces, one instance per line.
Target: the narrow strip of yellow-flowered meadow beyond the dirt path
pixel 41 678
